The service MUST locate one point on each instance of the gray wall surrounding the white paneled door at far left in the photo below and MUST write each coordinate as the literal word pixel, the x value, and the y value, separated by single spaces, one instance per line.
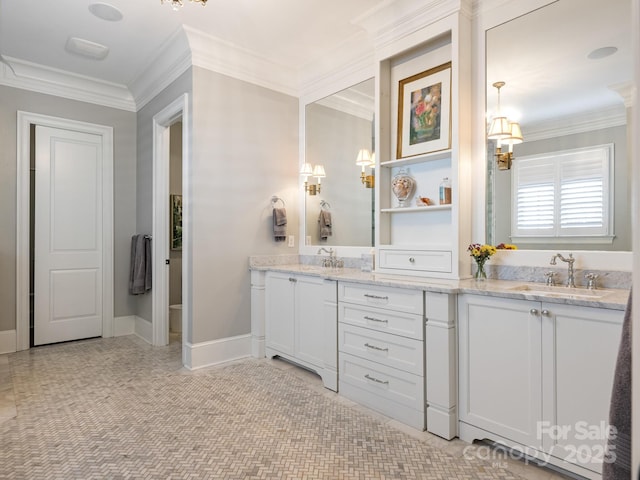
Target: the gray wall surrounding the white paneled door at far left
pixel 124 127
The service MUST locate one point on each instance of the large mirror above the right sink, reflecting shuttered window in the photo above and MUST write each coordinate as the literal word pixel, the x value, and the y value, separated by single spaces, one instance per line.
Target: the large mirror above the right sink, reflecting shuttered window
pixel 567 69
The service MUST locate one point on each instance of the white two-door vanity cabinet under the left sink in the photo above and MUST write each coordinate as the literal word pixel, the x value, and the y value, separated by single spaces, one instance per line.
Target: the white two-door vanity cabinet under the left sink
pixel 301 322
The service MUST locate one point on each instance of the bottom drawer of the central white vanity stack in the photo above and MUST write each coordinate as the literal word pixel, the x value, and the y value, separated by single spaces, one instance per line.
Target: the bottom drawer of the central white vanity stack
pixel 383 388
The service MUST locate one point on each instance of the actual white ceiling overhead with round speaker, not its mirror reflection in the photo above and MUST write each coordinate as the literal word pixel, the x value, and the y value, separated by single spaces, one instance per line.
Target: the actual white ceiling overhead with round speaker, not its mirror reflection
pixel 291 33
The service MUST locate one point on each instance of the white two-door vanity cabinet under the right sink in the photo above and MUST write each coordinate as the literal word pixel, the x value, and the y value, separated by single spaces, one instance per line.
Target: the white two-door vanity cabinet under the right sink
pixel 538 376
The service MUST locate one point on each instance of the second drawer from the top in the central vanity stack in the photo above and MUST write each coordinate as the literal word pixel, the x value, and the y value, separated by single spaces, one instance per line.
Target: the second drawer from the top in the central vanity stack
pixel 405 324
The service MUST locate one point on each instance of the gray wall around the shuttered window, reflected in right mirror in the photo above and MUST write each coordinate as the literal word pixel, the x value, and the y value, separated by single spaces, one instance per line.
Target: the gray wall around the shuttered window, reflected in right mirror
pixel 622 185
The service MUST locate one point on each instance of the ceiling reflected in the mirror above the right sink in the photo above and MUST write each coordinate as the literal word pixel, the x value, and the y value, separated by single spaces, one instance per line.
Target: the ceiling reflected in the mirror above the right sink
pixel 543 59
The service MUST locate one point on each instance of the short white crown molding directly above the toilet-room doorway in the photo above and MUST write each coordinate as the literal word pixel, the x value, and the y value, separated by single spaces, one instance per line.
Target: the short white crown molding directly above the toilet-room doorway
pixel 171 60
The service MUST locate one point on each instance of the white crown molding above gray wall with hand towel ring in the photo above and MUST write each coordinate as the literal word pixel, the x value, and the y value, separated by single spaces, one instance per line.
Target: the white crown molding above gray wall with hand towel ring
pixel 212 53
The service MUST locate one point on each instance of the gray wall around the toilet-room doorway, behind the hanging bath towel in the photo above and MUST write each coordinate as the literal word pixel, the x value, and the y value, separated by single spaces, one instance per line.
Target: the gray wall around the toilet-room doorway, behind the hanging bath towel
pixel 144 181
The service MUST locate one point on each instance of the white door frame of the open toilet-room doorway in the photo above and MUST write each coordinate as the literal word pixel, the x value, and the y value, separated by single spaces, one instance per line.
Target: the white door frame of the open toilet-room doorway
pixel 160 230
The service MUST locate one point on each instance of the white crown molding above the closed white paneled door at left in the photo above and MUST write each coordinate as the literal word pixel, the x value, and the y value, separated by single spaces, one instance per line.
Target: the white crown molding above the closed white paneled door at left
pixel 25 75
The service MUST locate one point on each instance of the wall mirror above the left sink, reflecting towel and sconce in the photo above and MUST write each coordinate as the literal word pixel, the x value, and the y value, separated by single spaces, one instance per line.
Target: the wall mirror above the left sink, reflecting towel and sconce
pixel 336 129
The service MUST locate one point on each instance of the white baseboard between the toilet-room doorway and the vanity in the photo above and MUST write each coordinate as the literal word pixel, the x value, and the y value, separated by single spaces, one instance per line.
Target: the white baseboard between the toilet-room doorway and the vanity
pixel 205 354
